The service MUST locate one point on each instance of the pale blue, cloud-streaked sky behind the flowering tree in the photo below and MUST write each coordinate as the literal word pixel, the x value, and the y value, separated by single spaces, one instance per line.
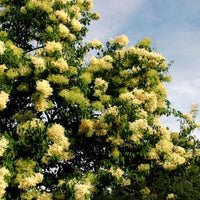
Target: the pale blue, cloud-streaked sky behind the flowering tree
pixel 173 26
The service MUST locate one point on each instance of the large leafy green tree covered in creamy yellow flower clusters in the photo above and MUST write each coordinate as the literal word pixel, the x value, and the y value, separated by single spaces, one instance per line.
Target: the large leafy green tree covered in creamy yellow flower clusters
pixel 77 130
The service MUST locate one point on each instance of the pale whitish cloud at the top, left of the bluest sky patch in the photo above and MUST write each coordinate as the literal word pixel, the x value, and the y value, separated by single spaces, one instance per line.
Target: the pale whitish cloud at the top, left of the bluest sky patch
pixel 113 15
